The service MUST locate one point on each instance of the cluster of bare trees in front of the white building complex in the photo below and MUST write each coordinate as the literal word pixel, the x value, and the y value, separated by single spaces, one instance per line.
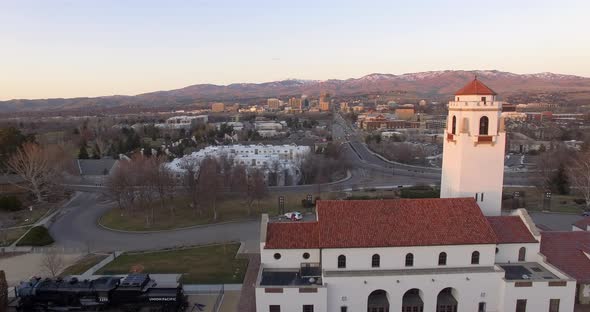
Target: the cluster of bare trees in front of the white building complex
pixel 138 183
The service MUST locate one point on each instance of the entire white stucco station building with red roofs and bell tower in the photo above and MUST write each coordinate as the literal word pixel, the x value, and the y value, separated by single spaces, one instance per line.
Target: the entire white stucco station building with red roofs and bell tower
pixel 453 254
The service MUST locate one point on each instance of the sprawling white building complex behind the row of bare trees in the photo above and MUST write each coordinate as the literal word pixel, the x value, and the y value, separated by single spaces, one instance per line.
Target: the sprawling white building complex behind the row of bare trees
pixel 284 160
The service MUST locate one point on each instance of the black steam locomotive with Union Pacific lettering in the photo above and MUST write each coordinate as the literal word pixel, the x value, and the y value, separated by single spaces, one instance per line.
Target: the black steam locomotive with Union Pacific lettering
pixel 135 292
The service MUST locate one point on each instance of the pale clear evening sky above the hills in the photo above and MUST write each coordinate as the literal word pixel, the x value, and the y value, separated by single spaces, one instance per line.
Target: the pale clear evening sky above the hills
pixel 51 48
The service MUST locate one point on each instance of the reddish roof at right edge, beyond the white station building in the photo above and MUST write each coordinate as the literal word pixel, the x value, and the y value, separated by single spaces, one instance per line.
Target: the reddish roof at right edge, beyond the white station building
pixel 566 251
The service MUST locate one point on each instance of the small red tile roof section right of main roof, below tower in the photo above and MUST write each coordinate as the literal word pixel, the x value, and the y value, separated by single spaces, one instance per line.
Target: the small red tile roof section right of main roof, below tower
pixel 511 229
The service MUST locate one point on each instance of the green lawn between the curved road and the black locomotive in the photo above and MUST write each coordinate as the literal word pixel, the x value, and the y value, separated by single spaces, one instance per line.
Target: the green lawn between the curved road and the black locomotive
pixel 214 264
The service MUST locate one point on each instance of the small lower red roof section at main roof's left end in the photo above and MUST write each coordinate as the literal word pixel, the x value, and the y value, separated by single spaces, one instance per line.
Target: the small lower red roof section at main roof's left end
pixel 292 235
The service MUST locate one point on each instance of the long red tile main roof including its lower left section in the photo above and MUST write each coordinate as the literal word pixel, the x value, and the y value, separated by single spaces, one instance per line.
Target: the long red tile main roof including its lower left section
pixel 388 223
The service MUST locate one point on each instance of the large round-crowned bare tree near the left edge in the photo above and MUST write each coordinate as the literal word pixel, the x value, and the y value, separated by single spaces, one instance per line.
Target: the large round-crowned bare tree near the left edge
pixel 39 167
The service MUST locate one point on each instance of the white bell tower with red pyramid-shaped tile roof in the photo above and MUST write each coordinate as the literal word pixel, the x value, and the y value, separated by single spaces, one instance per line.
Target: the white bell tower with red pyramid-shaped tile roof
pixel 473 148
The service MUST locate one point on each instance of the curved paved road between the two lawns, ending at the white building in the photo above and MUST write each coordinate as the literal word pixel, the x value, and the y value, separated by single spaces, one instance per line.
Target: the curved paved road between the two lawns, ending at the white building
pixel 77 228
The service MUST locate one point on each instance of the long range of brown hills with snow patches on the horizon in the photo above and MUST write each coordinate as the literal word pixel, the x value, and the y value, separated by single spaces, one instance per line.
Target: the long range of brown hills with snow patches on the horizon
pixel 430 84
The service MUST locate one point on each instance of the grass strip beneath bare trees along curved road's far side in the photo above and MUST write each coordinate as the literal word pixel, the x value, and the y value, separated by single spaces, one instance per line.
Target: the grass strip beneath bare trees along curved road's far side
pixel 229 207
